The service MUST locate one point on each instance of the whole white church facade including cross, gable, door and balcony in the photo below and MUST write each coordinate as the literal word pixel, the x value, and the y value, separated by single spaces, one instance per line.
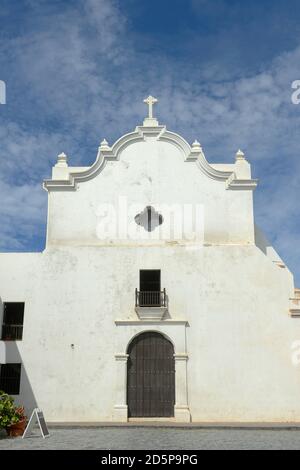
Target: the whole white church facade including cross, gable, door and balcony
pixel 156 295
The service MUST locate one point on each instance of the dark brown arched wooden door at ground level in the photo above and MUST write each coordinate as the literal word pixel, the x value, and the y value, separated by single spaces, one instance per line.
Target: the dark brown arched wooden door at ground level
pixel 150 376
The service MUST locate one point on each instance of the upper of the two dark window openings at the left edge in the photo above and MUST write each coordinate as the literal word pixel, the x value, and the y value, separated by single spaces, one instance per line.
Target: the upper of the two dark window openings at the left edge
pixel 13 318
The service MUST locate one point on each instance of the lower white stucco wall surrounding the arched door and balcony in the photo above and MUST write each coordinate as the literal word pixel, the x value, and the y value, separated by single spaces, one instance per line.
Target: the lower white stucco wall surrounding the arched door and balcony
pixel 238 338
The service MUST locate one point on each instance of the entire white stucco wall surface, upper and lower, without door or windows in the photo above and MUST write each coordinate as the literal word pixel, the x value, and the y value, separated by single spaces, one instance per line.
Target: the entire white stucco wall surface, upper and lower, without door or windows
pixel 228 312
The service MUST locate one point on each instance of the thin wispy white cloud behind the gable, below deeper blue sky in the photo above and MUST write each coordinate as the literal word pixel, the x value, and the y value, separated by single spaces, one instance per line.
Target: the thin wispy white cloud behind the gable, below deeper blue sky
pixel 82 77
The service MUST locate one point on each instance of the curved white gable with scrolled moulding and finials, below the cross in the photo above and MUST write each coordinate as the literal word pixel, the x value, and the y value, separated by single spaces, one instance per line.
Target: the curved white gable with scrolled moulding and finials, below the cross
pixel 150 167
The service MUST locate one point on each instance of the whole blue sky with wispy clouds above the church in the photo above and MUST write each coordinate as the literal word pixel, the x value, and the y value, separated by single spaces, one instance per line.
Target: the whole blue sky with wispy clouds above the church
pixel 77 71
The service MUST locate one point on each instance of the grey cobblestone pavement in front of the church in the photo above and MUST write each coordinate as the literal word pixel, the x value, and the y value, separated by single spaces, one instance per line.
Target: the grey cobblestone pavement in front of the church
pixel 156 438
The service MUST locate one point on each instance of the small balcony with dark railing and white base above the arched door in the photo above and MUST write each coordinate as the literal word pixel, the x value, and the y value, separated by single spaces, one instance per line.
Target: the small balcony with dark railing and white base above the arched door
pixel 150 305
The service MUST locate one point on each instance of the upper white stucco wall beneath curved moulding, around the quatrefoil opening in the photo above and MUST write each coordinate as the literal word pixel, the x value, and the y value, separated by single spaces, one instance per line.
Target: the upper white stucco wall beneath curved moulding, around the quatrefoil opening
pixel 150 173
